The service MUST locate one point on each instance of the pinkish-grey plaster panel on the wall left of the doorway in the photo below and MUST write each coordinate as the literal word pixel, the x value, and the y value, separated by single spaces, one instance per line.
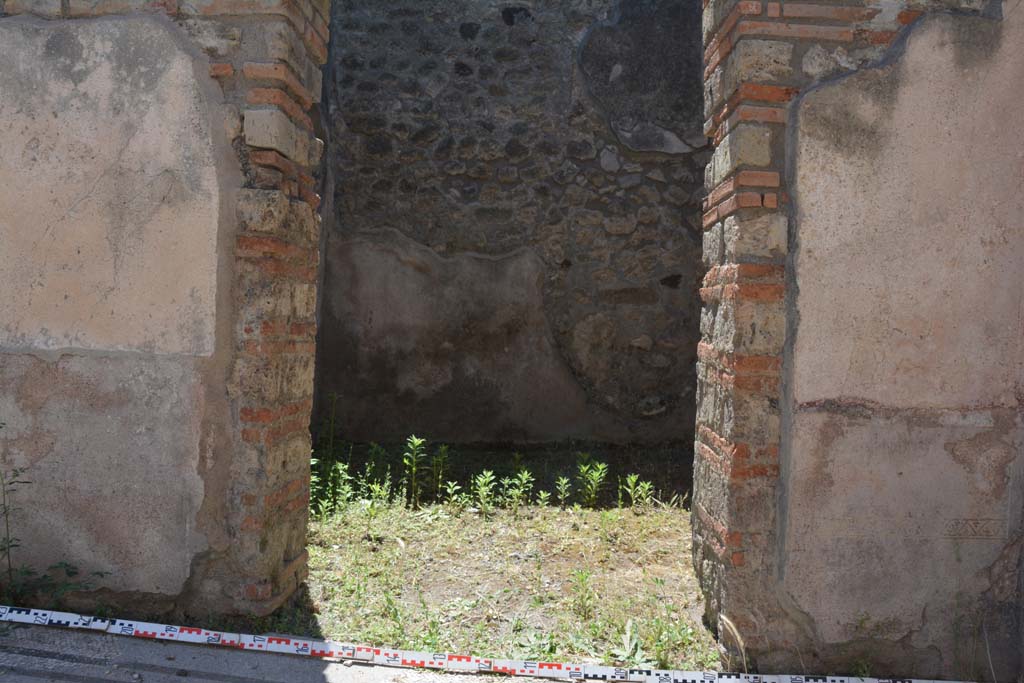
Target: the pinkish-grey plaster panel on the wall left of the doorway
pixel 113 176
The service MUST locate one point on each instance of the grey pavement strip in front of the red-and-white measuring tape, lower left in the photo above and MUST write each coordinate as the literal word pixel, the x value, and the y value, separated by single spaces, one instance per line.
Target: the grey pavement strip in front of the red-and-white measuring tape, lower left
pixel 29 655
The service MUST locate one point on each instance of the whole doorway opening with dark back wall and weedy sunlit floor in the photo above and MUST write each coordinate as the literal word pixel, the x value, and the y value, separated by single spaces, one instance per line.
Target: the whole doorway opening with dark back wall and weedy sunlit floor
pixel 513 261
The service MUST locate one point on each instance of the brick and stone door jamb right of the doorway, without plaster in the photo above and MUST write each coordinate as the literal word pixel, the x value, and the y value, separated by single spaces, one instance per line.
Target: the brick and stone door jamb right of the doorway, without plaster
pixel 759 58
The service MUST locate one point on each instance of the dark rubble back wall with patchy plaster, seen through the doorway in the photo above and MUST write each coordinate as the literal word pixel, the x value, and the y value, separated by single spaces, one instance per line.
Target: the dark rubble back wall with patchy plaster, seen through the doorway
pixel 515 254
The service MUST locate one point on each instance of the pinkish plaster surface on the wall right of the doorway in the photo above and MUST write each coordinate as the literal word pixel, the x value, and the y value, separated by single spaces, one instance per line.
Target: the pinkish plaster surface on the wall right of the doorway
pixel 905 496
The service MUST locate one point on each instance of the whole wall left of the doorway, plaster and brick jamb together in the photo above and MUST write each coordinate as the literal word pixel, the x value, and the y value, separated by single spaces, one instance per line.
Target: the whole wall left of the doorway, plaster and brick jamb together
pixel 158 216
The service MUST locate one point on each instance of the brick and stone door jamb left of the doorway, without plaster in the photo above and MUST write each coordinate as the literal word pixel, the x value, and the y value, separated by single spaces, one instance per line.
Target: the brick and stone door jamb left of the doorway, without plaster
pixel 274 77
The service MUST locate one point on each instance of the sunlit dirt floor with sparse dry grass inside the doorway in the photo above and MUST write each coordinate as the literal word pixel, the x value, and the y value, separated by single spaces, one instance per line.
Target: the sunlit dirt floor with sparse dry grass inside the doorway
pixel 611 586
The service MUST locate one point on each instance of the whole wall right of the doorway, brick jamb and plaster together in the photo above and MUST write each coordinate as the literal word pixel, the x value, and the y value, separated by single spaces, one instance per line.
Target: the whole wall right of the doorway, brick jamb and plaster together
pixel 858 483
